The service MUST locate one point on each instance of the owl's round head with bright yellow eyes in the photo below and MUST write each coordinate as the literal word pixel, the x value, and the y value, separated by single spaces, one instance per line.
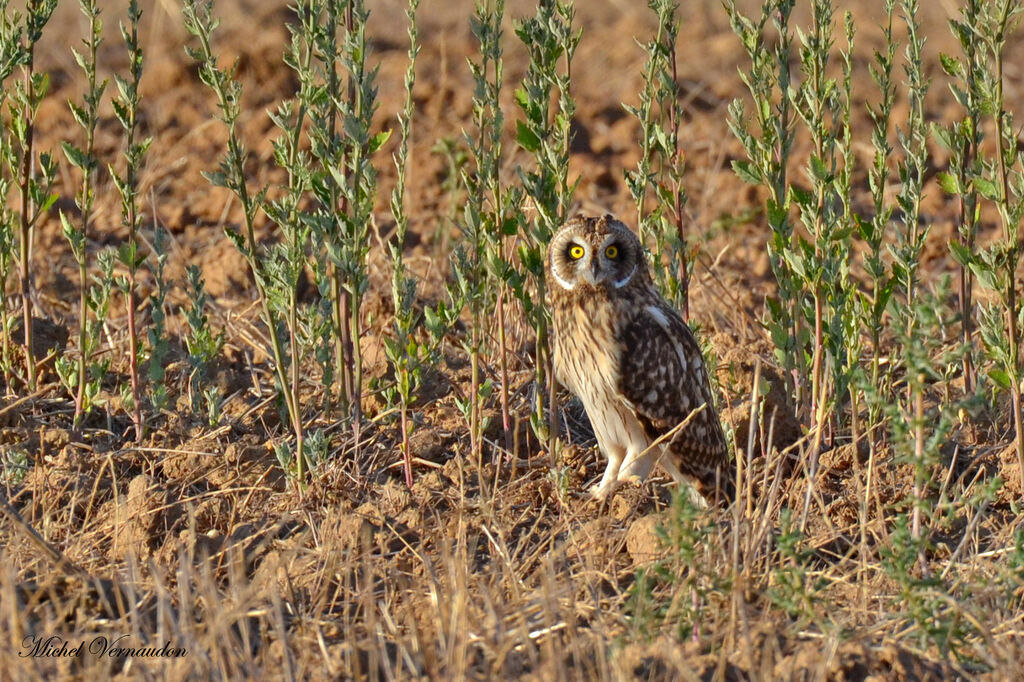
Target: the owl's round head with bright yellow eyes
pixel 595 253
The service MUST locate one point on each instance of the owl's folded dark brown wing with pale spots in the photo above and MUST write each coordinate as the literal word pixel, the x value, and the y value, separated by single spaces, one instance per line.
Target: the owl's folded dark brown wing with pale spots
pixel 663 379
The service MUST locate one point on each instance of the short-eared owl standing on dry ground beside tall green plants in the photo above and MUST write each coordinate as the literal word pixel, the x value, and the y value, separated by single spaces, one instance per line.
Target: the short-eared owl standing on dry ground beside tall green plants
pixel 632 360
